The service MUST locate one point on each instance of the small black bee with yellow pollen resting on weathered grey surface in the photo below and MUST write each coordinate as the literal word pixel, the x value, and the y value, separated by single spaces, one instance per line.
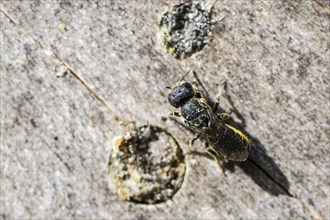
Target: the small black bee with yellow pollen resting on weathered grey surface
pixel 221 138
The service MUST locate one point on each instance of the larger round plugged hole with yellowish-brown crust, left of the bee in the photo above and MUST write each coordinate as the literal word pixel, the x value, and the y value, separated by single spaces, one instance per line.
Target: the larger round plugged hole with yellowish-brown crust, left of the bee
pixel 146 166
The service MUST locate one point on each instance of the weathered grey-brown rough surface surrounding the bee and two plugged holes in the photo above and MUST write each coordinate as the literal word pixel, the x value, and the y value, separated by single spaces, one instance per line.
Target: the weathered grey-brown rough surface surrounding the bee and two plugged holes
pixel 56 130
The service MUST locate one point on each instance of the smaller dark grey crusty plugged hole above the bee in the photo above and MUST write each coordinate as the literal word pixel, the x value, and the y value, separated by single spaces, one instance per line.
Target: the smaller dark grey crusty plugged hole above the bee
pixel 186 28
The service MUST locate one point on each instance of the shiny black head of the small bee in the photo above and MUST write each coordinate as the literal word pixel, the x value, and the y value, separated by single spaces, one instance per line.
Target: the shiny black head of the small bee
pixel 181 94
